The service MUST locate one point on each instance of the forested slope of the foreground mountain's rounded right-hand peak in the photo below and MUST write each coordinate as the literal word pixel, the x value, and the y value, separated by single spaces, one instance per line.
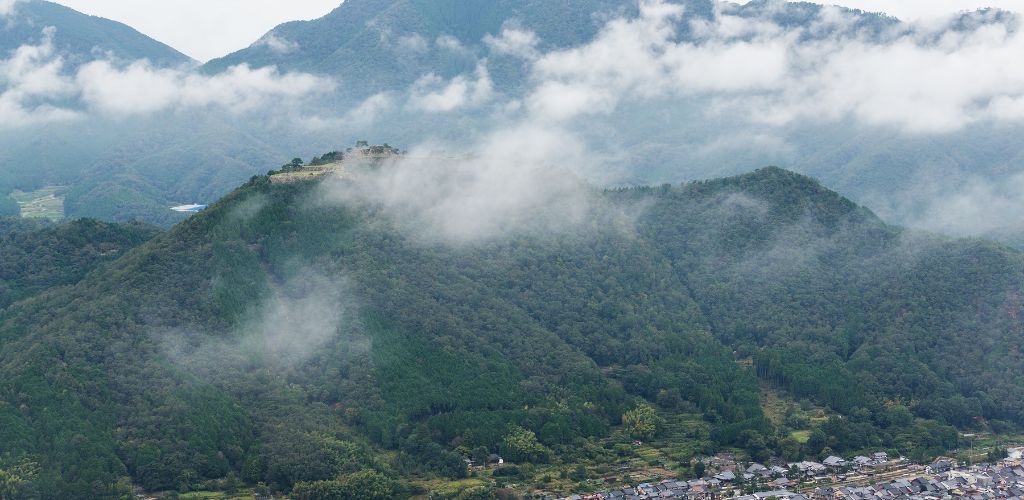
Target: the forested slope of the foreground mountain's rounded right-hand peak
pixel 809 280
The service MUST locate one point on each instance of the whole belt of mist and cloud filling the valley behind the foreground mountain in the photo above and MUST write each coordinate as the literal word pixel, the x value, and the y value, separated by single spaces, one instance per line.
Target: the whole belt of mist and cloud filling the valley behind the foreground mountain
pixel 867 105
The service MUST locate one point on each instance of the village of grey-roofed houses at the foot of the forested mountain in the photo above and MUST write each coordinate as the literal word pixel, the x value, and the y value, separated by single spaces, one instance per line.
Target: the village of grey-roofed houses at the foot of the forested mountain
pixel 875 477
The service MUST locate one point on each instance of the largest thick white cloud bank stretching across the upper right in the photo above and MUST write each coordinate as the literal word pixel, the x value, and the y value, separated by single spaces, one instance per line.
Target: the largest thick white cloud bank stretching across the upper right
pixel 916 79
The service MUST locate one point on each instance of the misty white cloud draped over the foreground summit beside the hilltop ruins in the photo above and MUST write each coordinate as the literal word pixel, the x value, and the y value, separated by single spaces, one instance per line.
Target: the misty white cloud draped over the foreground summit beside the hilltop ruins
pixel 514 182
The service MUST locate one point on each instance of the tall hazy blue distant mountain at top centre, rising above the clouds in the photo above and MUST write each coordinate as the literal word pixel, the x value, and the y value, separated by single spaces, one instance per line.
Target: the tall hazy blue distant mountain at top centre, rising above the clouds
pixel 363 41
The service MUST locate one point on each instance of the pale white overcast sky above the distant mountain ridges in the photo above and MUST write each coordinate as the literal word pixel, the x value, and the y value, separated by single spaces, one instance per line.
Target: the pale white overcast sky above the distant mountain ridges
pixel 207 29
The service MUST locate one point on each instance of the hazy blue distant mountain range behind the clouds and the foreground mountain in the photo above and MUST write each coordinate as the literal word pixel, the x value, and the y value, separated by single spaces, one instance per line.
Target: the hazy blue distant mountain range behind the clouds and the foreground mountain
pixel 387 47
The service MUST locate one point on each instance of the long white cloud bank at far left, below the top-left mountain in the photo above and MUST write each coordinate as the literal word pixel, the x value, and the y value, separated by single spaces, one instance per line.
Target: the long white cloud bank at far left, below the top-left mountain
pixel 37 89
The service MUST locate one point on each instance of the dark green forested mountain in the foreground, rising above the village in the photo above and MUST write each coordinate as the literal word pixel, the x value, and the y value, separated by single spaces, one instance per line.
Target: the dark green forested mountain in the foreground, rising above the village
pixel 286 339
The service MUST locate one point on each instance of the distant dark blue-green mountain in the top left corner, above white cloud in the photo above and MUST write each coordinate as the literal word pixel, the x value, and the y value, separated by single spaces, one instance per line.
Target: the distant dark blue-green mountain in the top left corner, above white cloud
pixel 82 37
